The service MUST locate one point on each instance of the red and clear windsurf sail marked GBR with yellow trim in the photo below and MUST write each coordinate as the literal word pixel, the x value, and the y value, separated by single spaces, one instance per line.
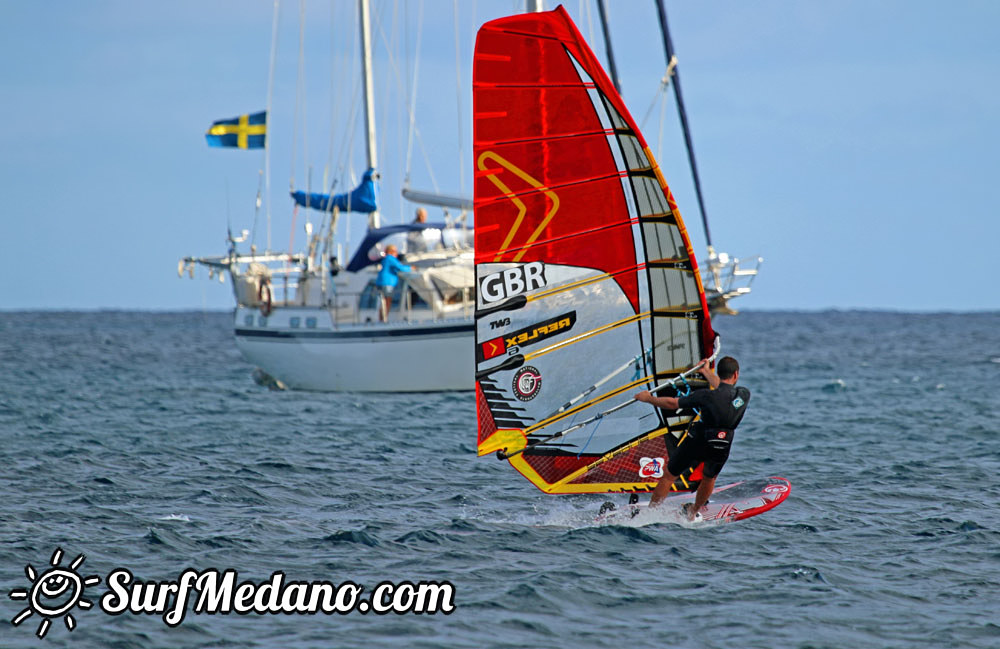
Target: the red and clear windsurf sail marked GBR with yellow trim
pixel 587 286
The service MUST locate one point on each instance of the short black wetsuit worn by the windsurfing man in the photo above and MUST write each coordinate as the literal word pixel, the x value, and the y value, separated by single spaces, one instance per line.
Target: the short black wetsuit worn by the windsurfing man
pixel 710 439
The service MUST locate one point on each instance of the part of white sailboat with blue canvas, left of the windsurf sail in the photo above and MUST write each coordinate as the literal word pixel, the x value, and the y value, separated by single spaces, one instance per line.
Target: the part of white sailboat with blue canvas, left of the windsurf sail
pixel 314 320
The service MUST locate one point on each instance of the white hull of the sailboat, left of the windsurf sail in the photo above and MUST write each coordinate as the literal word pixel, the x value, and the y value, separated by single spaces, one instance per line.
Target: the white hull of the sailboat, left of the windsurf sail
pixel 374 357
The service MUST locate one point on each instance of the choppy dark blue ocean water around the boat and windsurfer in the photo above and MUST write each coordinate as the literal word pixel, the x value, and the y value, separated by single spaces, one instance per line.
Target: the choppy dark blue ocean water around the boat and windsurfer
pixel 140 441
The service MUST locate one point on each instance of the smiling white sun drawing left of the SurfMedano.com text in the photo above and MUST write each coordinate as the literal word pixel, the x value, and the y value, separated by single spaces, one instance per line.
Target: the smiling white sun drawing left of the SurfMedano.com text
pixel 54 593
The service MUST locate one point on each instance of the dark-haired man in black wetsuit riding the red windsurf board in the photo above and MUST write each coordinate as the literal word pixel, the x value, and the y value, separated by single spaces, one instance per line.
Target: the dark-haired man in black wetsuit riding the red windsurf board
pixel 708 439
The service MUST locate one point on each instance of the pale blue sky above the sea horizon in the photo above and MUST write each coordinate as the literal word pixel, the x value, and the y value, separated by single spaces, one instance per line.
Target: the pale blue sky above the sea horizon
pixel 853 145
